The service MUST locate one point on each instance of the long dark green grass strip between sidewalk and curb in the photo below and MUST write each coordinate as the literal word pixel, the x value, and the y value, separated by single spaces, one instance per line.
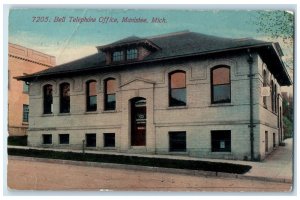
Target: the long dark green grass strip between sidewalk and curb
pixel 133 160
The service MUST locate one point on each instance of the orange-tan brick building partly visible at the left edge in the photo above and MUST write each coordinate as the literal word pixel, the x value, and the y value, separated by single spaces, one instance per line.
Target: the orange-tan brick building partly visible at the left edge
pixel 22 61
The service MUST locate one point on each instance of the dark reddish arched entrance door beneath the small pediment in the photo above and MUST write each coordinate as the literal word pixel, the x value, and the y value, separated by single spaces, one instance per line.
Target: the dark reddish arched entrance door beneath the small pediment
pixel 138 122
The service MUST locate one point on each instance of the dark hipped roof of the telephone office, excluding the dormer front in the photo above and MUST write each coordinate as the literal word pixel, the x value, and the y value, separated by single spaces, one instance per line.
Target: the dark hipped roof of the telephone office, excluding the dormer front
pixel 174 45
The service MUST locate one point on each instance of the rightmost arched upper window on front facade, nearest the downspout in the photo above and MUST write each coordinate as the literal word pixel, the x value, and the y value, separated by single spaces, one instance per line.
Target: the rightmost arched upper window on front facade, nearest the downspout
pixel 220 85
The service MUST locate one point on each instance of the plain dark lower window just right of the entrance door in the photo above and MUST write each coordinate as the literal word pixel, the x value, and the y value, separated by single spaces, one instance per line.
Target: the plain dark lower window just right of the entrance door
pixel 177 141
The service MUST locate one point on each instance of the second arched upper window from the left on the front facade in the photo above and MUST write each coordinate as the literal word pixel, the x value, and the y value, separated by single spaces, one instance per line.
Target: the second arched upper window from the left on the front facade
pixel 64 96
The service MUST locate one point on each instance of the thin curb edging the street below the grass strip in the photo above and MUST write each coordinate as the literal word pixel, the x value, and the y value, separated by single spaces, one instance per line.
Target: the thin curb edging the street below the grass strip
pixel 152 169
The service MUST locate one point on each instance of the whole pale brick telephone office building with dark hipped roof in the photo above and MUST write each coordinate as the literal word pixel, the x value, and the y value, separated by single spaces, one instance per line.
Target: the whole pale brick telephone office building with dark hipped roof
pixel 182 93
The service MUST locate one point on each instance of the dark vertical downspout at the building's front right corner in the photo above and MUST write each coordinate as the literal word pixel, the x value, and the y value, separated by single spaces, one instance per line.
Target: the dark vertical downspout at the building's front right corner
pixel 250 62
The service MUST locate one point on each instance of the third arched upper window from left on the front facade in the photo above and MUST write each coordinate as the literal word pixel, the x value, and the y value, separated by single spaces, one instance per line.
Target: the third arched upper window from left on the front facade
pixel 91 96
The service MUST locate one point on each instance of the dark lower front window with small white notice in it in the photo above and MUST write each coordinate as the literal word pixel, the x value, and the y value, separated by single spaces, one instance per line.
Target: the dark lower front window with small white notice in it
pixel 214 141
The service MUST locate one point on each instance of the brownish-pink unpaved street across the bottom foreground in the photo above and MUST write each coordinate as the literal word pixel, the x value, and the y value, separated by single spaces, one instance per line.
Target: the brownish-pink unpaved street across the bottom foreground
pixel 33 175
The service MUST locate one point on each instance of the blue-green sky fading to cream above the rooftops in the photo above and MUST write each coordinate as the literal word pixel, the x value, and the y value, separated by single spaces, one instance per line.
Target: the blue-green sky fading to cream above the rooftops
pixel 72 40
